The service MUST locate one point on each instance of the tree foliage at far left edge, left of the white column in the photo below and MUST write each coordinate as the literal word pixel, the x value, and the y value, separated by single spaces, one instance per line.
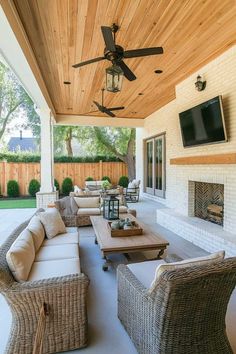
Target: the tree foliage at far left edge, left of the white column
pixel 14 100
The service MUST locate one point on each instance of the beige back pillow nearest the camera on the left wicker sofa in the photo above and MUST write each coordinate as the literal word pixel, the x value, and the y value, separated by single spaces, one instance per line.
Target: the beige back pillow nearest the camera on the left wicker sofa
pixel 20 256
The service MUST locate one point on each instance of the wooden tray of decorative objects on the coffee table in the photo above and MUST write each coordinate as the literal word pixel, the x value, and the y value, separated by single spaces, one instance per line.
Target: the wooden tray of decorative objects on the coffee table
pixel 124 227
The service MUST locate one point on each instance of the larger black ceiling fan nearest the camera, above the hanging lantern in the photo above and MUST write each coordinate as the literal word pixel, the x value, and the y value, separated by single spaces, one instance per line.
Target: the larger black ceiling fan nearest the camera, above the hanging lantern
pixel 116 53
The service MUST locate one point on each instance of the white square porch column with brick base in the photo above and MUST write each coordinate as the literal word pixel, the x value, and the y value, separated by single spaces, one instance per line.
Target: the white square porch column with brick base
pixel 47 193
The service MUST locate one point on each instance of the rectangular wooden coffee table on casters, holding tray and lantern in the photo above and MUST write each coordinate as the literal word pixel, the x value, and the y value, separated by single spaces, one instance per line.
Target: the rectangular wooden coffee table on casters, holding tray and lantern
pixel 110 245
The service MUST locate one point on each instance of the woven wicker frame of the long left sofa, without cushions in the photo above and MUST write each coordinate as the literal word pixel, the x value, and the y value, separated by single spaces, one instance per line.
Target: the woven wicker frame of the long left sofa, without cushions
pixel 65 298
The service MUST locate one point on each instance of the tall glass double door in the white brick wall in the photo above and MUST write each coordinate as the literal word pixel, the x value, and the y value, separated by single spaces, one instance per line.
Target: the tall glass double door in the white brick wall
pixel 155 166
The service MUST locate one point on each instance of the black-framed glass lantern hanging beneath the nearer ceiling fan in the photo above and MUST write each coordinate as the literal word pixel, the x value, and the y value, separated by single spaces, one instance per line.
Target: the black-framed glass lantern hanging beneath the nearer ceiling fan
pixel 114 78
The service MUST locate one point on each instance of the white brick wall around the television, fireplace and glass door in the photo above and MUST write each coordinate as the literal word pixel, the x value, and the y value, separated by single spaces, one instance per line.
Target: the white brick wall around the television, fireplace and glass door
pixel 220 75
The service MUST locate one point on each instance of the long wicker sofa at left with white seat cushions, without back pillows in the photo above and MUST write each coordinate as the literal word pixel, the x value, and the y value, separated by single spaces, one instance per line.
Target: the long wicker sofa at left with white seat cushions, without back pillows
pixel 49 308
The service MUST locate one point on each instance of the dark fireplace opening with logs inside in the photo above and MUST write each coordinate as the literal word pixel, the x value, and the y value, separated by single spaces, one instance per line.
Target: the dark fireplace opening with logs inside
pixel 209 202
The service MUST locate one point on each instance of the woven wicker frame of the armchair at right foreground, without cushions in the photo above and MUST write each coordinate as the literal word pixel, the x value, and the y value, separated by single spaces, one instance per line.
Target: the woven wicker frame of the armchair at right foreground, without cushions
pixel 184 315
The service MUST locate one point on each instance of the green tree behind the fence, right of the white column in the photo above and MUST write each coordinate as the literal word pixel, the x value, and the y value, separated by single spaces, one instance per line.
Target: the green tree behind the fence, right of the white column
pixel 110 141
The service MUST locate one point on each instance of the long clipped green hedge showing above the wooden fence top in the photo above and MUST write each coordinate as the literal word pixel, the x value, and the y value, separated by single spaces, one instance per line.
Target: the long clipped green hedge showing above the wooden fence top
pixel 13 157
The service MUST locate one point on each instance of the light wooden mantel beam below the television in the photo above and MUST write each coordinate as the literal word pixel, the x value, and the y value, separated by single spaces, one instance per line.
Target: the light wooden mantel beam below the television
pixel 217 159
